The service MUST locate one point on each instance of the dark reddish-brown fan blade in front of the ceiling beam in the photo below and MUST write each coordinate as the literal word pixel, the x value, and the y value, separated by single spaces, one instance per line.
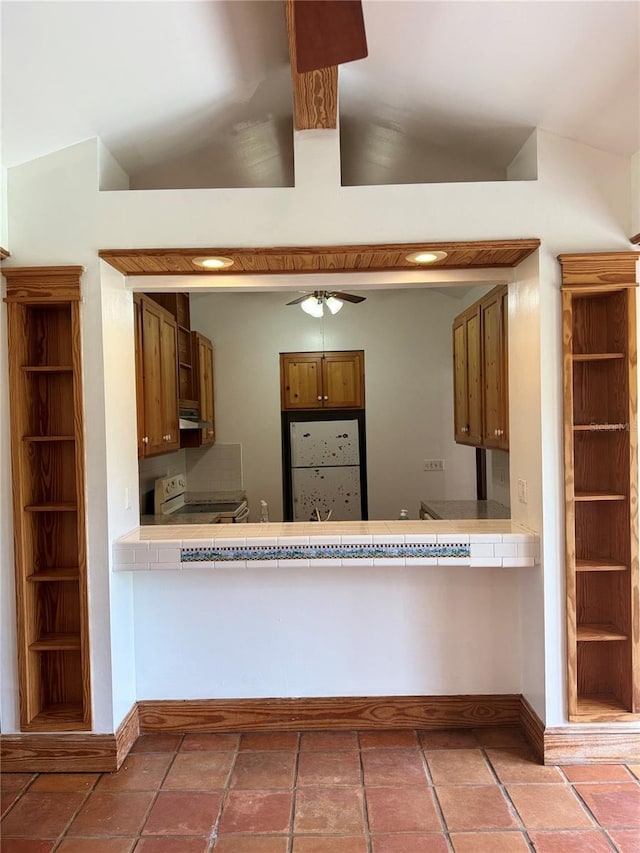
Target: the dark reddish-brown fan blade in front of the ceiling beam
pixel 328 32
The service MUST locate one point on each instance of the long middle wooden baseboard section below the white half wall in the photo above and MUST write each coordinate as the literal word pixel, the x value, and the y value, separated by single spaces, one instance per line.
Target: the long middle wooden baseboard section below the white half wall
pixel 308 714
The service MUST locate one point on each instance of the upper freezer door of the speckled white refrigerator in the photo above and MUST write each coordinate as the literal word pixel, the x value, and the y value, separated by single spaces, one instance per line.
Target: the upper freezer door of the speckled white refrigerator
pixel 320 443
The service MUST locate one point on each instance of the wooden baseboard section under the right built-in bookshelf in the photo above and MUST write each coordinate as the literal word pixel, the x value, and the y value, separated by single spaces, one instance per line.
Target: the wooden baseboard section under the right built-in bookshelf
pixel 592 744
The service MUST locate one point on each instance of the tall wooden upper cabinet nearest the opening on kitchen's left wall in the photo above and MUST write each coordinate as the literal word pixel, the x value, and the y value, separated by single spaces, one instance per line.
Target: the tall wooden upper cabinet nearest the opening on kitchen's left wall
pixel 157 368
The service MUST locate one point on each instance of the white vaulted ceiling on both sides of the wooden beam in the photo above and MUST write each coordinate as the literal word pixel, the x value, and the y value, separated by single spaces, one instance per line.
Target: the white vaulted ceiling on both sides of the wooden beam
pixel 199 93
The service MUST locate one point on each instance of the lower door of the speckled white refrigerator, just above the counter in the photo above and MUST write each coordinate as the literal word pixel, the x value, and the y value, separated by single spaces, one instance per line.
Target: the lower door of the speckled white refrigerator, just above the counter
pixel 330 489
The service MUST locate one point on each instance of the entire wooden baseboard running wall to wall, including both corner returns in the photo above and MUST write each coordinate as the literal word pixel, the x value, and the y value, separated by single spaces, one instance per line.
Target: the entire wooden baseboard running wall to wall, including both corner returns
pixel 68 753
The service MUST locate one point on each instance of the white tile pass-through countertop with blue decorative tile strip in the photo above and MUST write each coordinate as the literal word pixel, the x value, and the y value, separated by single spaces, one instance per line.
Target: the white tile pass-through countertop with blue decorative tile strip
pixel 475 543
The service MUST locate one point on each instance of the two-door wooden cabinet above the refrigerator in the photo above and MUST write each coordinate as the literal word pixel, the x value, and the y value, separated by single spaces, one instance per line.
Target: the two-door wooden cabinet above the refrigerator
pixel 314 380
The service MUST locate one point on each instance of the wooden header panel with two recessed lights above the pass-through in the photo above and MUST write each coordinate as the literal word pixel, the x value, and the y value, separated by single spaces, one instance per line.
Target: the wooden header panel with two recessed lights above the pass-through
pixel 314 259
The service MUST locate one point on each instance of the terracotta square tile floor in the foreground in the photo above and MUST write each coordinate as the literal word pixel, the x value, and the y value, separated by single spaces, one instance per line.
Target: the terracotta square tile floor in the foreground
pixel 458 791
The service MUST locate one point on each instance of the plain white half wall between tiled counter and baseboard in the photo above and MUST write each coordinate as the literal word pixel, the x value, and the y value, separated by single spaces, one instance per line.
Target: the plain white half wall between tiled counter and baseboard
pixel 332 632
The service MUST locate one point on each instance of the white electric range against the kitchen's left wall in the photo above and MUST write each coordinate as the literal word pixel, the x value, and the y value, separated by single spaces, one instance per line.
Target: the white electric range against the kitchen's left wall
pixel 176 506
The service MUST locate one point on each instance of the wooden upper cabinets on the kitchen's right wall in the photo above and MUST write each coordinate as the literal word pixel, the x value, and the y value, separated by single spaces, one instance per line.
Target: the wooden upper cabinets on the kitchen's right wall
pixel 480 373
